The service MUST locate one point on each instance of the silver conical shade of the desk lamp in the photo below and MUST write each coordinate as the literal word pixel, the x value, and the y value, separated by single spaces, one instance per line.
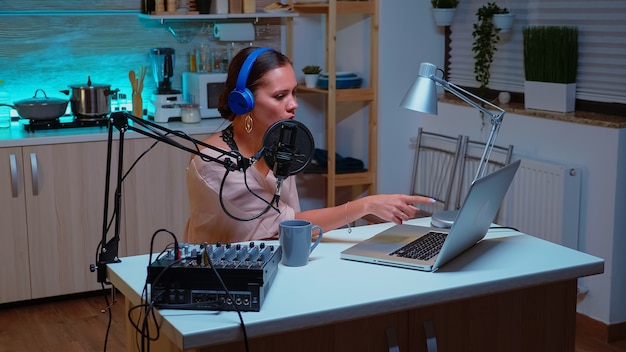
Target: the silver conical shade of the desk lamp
pixel 422 96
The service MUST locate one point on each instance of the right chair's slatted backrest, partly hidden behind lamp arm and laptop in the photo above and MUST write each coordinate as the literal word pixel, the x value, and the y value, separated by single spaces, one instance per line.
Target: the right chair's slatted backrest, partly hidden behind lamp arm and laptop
pixel 472 152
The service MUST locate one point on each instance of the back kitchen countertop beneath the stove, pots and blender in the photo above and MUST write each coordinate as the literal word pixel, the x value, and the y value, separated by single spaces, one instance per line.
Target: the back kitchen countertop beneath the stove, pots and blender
pixel 17 136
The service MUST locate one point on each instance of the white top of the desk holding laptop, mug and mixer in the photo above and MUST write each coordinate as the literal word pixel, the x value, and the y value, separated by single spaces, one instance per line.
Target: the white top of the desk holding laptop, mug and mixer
pixel 330 289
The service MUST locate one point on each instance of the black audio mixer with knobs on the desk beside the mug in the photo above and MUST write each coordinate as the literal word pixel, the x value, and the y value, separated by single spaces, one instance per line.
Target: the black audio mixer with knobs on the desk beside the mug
pixel 246 272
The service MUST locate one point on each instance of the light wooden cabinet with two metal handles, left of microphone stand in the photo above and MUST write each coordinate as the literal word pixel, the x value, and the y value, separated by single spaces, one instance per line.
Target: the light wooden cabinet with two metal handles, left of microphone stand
pixel 53 208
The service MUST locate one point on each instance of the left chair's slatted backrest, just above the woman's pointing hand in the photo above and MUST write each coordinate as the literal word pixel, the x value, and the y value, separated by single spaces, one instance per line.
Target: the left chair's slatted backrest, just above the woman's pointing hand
pixel 434 168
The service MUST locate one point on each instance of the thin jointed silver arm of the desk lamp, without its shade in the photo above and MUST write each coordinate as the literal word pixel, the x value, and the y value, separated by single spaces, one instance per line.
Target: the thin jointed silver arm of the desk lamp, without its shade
pixel 496 119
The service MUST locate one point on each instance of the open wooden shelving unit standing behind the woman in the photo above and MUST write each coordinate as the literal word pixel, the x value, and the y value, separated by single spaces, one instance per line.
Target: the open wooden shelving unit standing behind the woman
pixel 339 102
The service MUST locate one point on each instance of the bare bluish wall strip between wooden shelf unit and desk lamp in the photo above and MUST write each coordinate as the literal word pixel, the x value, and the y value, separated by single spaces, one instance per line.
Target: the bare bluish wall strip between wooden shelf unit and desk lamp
pixel 407 38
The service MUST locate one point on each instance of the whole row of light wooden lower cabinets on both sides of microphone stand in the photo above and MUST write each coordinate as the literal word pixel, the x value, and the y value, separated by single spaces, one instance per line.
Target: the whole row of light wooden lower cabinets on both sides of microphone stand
pixel 53 202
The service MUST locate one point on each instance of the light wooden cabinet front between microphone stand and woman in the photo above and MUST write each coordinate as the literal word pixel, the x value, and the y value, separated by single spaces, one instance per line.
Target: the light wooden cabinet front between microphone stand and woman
pixel 155 193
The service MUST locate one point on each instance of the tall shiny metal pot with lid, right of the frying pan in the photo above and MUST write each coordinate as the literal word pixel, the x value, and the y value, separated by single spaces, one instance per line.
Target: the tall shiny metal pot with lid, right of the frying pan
pixel 91 101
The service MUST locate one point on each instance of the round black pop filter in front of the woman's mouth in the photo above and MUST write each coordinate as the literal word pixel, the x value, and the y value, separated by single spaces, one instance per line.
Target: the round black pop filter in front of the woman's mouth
pixel 288 148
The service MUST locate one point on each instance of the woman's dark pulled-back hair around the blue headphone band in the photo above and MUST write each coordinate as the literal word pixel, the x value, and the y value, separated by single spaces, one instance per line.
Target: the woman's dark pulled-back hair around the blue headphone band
pixel 265 62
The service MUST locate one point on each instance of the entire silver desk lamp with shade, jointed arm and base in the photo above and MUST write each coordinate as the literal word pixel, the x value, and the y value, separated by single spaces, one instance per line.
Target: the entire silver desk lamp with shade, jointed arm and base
pixel 422 97
